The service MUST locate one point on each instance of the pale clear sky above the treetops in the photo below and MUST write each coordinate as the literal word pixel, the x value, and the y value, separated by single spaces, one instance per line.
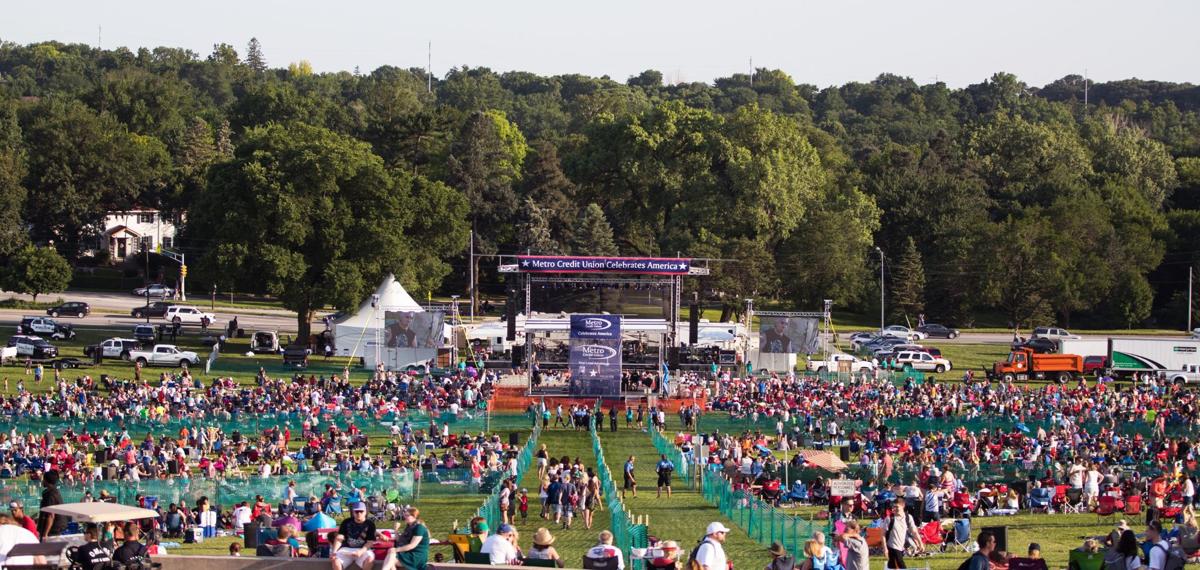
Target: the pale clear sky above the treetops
pixel 824 44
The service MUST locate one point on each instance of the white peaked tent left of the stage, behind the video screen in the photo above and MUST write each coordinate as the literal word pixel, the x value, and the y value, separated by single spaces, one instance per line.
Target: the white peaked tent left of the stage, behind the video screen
pixel 357 335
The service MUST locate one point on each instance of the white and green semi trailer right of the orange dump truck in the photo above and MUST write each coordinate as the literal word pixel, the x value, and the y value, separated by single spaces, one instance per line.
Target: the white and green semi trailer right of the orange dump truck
pixel 1131 357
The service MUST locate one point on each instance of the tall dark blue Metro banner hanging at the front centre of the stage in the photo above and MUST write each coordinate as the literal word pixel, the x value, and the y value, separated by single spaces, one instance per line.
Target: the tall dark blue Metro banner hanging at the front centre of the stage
pixel 596 356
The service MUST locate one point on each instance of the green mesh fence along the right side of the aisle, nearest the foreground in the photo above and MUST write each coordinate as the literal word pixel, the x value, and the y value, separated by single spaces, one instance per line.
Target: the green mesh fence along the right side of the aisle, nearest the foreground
pixel 761 521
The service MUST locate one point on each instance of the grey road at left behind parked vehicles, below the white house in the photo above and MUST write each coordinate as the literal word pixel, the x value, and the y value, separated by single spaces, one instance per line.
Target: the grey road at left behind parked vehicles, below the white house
pixel 112 311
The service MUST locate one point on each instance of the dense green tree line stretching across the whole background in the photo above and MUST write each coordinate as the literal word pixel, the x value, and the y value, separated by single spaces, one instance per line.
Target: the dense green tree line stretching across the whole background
pixel 999 203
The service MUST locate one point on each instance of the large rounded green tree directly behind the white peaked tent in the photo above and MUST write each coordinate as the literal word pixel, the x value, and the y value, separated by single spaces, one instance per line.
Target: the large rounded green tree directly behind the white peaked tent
pixel 308 215
